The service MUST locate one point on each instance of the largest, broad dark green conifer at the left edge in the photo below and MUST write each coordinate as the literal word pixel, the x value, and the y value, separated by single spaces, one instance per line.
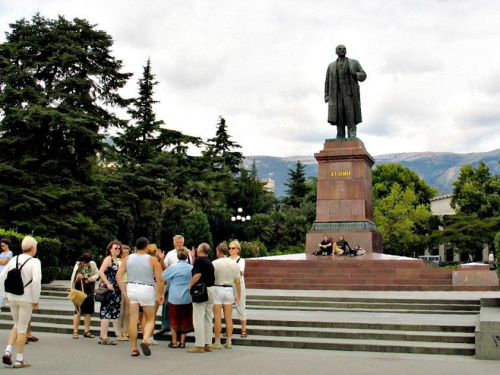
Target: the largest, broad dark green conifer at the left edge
pixel 56 79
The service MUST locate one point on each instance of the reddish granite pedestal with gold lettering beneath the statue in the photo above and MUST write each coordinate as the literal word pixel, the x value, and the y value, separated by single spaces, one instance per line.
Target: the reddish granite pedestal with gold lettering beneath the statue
pixel 345 200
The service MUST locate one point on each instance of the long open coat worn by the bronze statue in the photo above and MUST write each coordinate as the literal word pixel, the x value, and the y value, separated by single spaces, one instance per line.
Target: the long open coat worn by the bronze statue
pixel 353 96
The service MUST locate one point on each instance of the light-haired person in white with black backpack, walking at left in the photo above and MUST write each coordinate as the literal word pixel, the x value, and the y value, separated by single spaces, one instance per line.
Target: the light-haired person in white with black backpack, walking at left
pixel 21 306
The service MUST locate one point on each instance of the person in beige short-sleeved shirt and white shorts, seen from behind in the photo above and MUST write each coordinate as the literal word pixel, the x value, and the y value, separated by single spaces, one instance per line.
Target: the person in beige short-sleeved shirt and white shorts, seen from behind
pixel 227 274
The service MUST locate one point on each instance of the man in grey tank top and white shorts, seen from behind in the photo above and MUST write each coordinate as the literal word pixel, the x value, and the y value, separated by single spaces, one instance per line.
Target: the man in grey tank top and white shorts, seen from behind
pixel 142 271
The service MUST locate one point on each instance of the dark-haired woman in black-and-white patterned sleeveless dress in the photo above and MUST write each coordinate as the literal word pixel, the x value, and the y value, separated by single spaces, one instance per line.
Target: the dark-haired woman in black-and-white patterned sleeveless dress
pixel 111 309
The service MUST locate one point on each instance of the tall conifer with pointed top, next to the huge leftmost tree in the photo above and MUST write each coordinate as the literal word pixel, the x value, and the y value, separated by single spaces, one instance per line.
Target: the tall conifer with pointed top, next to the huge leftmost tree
pixel 152 160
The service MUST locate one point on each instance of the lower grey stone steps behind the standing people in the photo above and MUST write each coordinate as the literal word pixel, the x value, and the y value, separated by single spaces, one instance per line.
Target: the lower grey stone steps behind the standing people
pixel 397 324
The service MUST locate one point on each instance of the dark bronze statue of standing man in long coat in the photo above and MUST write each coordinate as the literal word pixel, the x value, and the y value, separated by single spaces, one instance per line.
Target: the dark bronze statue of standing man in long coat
pixel 342 93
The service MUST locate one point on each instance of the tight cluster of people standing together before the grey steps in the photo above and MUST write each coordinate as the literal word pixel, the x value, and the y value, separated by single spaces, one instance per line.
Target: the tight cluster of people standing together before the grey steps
pixel 140 282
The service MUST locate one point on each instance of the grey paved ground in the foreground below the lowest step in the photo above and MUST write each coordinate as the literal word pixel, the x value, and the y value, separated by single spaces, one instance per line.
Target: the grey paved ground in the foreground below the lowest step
pixel 60 354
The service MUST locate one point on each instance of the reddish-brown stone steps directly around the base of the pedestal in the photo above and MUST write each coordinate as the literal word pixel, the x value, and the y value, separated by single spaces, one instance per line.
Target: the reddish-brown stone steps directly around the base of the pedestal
pixel 375 272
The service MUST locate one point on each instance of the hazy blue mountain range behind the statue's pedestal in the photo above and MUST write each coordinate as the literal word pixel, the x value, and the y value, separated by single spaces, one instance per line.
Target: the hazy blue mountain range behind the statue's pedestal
pixel 438 169
